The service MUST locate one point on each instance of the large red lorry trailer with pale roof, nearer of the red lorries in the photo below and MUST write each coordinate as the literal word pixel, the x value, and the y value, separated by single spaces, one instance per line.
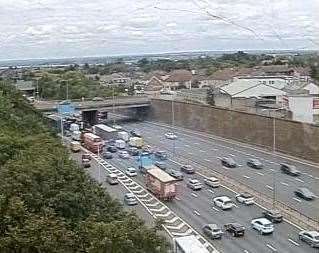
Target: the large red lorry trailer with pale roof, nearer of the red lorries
pixel 161 184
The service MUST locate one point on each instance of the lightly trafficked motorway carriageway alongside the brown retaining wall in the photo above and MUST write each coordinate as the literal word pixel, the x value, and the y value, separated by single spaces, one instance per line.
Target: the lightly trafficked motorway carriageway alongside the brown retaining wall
pixel 206 150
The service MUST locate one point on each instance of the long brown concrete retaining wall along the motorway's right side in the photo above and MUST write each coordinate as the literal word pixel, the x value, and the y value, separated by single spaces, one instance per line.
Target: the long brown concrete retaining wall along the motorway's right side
pixel 293 138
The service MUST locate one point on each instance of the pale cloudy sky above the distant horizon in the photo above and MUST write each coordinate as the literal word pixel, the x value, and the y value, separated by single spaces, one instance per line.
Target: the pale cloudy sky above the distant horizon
pixel 76 28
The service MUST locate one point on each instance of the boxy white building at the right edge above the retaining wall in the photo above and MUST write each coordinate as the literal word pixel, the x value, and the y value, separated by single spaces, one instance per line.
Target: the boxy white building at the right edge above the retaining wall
pixel 304 108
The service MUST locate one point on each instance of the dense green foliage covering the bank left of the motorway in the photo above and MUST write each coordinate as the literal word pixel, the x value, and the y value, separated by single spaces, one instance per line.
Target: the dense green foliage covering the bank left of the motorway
pixel 47 203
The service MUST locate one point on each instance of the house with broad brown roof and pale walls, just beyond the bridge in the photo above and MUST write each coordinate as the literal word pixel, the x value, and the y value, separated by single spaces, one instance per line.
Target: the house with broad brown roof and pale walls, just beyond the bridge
pixel 178 79
